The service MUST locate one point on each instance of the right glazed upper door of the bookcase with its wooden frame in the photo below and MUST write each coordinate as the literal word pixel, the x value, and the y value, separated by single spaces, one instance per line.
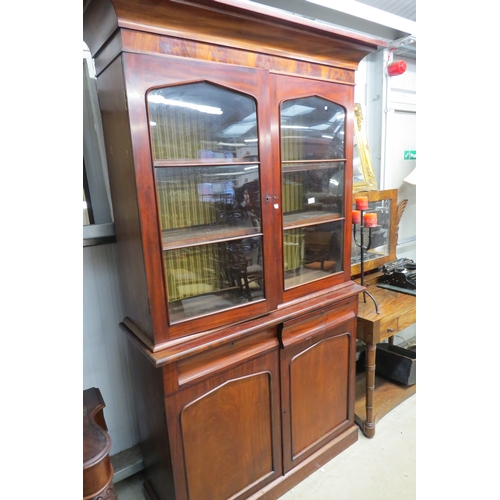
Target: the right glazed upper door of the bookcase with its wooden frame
pixel 315 124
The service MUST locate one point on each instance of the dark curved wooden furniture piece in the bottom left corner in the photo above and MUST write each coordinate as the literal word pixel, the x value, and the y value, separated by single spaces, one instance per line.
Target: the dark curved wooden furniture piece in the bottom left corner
pixel 97 468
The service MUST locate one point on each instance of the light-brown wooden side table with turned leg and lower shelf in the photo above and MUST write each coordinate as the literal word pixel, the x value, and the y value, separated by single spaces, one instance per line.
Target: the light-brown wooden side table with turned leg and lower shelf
pixel 375 396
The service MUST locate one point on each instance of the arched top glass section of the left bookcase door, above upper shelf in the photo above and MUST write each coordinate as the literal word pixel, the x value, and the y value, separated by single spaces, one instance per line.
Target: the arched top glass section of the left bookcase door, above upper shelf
pixel 201 120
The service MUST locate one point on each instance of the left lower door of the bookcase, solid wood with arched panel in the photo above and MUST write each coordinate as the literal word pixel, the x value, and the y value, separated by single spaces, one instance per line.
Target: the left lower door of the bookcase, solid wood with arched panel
pixel 228 432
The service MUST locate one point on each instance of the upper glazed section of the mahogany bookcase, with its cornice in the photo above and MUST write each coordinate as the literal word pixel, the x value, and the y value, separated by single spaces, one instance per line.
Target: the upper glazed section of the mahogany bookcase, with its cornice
pixel 238 146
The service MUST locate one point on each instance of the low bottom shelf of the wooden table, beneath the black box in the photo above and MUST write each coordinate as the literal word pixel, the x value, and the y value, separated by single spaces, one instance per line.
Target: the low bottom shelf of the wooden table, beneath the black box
pixel 386 397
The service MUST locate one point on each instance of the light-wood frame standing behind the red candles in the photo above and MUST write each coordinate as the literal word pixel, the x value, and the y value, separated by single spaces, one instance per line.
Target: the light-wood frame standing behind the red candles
pixel 387 225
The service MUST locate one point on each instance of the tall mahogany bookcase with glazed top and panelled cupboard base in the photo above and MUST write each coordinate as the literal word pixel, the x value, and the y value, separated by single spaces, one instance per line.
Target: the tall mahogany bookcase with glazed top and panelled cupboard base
pixel 228 130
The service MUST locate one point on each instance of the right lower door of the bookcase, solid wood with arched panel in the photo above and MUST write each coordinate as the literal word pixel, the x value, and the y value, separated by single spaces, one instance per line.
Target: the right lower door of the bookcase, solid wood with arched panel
pixel 318 381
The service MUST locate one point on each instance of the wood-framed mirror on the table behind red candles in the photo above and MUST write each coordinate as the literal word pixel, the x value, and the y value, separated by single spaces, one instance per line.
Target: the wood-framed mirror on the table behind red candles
pixel 384 236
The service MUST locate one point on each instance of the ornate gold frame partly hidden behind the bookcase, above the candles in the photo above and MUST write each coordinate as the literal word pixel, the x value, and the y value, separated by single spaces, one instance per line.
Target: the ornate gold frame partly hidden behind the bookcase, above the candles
pixel 363 173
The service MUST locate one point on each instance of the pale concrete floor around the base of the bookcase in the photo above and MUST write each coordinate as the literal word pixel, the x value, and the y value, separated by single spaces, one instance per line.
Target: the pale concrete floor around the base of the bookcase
pixel 380 468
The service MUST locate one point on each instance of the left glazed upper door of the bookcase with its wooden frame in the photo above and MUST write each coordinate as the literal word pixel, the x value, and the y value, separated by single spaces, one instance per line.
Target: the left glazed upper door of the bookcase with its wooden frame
pixel 202 159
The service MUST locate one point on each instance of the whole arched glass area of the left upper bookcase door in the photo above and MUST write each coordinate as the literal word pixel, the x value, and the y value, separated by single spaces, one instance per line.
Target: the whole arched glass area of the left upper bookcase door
pixel 208 187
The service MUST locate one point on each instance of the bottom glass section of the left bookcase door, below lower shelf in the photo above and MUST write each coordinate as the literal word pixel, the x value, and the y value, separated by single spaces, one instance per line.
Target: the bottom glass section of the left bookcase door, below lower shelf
pixel 208 278
